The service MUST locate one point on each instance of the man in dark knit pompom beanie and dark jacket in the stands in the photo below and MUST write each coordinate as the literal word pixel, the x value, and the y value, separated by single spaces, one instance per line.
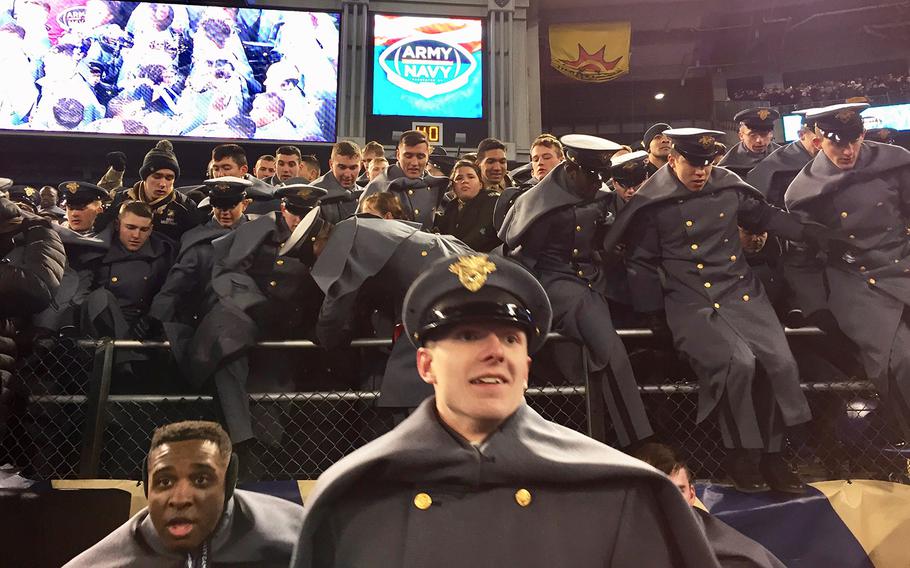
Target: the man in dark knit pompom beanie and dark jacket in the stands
pixel 174 212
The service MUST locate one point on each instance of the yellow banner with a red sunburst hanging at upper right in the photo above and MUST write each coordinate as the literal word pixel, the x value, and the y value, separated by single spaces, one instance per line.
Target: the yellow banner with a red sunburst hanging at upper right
pixel 594 53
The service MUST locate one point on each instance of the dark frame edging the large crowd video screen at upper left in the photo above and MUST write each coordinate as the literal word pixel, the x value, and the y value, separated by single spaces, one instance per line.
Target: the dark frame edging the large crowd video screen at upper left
pixel 58 134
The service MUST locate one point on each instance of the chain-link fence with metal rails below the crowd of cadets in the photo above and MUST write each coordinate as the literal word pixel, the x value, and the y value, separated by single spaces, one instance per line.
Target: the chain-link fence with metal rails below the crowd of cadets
pixel 63 432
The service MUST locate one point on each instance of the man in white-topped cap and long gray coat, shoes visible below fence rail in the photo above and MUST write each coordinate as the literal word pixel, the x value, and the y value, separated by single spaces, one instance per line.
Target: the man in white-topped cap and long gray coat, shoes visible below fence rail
pixel 684 256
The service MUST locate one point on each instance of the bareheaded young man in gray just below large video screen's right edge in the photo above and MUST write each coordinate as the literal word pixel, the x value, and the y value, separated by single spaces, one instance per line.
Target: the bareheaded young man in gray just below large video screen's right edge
pixel 340 181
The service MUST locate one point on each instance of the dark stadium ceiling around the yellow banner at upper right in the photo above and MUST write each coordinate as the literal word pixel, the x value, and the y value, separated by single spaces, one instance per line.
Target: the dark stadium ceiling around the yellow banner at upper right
pixel 675 37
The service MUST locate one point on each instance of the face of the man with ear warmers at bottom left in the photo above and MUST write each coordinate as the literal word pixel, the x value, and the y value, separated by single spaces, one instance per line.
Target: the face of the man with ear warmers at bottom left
pixel 186 492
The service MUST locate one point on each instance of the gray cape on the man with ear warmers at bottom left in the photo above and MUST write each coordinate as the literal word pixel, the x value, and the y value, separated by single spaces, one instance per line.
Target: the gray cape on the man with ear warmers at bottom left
pixel 260 530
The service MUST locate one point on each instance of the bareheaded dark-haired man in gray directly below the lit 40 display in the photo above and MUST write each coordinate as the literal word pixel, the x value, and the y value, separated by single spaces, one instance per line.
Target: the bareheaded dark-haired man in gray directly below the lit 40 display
pixel 420 193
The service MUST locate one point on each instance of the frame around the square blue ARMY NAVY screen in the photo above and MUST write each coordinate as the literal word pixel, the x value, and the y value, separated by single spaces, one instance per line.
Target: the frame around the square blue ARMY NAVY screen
pixel 484 71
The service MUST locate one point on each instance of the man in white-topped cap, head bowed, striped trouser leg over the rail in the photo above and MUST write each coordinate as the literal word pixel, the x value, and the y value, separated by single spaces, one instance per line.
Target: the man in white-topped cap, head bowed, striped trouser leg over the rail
pixel 555 229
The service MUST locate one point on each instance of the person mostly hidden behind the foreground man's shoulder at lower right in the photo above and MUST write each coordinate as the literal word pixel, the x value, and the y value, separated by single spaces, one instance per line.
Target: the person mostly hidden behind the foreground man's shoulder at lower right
pixel 732 548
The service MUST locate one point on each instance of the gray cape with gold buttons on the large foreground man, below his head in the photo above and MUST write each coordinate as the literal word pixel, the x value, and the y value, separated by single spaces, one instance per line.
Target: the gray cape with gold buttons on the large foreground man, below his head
pixel 474 519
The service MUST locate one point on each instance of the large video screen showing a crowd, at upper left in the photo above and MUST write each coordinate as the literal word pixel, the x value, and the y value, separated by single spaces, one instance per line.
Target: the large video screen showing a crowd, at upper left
pixel 102 66
